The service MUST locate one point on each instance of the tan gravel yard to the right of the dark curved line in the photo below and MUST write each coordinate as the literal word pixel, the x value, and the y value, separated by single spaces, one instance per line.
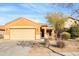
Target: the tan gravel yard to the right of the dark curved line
pixel 71 48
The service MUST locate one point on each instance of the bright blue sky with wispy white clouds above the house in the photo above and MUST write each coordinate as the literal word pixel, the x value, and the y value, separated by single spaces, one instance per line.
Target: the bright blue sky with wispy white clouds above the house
pixel 36 12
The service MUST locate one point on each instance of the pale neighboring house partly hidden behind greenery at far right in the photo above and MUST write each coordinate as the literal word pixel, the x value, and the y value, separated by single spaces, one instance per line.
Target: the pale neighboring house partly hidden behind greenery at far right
pixel 70 22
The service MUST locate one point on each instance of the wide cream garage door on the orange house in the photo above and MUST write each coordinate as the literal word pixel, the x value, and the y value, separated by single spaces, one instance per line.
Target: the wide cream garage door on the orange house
pixel 22 34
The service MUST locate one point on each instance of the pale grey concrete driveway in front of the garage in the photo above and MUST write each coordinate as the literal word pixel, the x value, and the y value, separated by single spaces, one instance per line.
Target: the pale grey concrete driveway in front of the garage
pixel 10 48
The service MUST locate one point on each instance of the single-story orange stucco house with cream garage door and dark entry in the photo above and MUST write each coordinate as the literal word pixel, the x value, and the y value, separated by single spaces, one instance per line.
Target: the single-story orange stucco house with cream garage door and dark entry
pixel 25 29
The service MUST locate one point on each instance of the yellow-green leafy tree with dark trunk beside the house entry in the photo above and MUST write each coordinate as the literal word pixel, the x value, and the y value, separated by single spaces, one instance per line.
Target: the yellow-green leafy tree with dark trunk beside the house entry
pixel 57 20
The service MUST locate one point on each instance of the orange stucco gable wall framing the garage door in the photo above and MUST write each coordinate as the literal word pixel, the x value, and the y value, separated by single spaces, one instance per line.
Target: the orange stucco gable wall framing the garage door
pixel 22 22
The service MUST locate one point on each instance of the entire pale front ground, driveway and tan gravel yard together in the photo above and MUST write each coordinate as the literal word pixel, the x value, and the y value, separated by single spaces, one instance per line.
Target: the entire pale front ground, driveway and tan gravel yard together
pixel 10 48
